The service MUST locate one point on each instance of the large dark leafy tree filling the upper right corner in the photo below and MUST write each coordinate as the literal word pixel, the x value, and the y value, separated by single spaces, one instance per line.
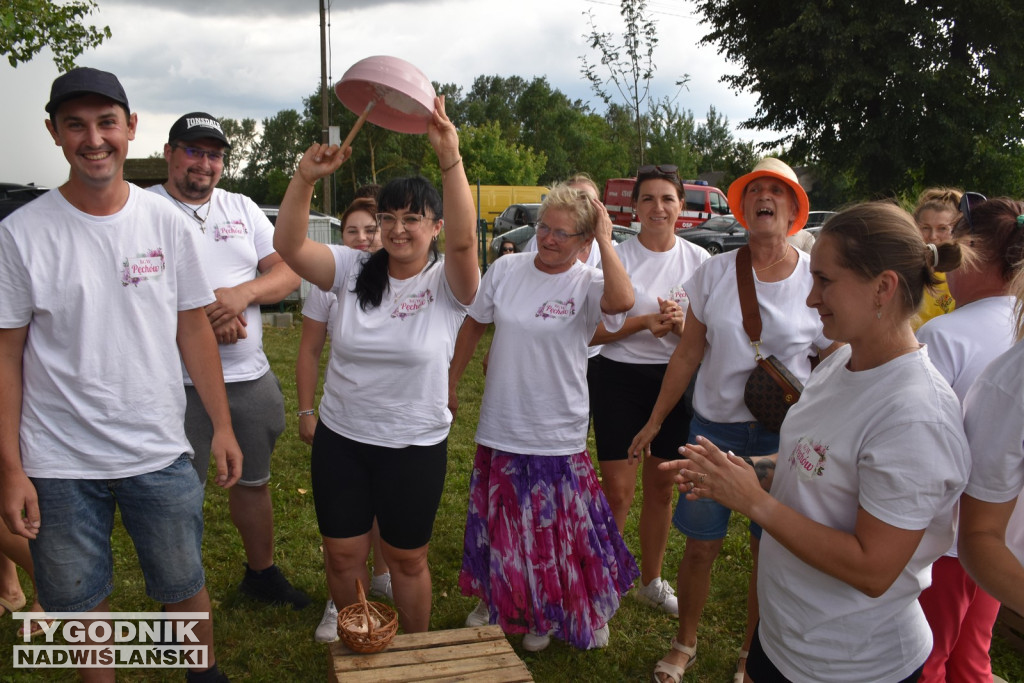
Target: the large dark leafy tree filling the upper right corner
pixel 898 96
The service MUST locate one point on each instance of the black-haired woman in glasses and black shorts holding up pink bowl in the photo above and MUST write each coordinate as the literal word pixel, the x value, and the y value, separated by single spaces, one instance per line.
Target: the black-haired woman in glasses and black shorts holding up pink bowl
pixel 380 449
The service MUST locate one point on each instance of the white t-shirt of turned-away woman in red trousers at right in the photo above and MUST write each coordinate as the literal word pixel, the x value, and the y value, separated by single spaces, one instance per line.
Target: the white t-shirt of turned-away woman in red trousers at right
pixel 962 343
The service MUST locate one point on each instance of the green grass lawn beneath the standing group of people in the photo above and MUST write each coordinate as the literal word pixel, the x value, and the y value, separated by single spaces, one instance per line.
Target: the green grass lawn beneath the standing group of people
pixel 273 645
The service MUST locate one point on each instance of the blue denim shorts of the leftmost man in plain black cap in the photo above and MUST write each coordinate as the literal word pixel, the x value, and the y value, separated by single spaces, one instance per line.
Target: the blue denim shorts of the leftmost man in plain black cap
pixel 163 514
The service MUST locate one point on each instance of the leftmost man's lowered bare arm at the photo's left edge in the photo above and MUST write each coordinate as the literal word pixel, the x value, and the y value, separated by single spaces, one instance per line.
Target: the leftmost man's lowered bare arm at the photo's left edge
pixel 18 495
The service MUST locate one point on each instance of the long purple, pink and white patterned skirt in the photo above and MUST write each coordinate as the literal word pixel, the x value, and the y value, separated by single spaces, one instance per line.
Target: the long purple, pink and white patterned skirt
pixel 542 549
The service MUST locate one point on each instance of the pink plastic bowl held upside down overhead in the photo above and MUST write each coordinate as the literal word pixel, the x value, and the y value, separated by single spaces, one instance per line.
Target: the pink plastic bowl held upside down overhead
pixel 404 95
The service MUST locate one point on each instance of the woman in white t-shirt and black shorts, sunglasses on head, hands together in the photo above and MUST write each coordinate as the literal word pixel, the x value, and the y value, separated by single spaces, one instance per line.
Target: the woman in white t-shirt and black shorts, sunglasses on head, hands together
pixel 633 364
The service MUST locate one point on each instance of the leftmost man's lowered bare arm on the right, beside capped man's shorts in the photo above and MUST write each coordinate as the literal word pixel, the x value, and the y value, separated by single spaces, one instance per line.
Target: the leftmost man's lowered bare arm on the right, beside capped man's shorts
pixel 200 356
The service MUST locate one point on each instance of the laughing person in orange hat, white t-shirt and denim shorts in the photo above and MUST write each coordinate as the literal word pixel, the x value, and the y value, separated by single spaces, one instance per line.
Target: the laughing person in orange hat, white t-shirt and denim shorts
pixel 772 205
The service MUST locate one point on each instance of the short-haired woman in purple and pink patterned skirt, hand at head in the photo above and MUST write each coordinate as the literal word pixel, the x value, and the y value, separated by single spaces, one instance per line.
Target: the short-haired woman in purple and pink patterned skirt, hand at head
pixel 542 551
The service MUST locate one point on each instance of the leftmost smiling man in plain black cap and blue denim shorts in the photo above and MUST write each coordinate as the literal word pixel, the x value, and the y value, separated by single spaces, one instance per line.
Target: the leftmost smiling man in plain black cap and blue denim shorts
pixel 99 254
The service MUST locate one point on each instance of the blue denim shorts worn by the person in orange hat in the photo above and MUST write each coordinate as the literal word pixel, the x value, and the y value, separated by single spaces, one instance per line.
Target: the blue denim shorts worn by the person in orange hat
pixel 705 520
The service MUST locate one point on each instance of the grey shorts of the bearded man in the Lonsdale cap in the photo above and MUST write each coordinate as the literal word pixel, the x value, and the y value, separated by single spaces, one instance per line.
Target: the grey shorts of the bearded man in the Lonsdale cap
pixel 258 417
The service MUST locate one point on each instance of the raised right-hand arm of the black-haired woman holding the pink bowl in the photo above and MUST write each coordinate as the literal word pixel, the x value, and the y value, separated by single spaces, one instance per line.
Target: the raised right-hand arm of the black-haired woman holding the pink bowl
pixel 462 269
